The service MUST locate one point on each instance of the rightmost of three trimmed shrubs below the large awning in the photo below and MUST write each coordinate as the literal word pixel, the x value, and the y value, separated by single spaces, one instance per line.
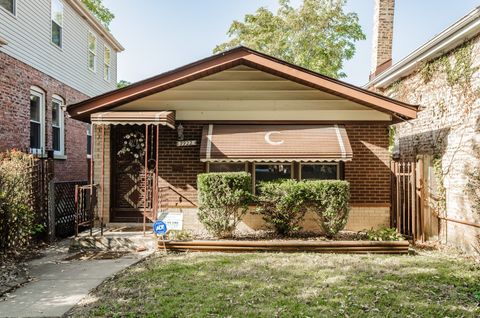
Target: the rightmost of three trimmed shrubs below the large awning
pixel 330 200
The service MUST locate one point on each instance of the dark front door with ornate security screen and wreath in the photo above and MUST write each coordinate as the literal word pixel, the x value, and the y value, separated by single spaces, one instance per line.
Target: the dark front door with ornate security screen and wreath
pixel 128 174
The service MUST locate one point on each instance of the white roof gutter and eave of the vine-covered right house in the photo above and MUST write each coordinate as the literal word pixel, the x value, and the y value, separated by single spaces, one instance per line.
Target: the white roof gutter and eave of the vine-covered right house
pixel 461 31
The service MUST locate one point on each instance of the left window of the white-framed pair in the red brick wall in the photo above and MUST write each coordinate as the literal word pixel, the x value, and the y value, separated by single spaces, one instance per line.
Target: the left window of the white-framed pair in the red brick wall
pixel 37 121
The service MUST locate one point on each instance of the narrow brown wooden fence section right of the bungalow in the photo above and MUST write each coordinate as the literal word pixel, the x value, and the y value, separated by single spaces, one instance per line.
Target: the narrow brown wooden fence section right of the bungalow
pixel 406 210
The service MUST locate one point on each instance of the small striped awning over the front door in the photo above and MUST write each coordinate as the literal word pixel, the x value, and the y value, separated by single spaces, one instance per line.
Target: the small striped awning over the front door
pixel 165 118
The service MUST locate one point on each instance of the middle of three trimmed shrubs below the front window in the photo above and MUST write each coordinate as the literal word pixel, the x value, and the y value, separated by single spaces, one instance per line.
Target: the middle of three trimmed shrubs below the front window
pixel 283 205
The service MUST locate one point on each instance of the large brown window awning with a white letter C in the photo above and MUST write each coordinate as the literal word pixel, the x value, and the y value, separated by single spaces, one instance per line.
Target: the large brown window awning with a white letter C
pixel 275 143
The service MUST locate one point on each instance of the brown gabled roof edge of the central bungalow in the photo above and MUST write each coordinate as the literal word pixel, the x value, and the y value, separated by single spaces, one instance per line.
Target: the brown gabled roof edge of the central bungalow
pixel 232 58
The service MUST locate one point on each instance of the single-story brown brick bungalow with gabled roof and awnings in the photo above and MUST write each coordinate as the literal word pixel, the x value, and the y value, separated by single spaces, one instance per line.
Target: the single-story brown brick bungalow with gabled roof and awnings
pixel 239 111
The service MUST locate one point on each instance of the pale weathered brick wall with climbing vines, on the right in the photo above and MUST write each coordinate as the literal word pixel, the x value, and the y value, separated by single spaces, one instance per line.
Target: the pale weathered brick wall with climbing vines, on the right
pixel 448 127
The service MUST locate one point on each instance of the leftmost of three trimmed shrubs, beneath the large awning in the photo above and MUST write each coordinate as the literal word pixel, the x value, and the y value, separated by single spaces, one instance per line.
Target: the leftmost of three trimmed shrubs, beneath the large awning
pixel 223 199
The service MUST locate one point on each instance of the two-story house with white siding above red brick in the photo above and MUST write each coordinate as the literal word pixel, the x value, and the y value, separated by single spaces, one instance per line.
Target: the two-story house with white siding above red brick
pixel 52 53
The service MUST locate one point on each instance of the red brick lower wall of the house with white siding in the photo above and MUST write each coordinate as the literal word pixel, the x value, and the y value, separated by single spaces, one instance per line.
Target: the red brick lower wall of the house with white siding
pixel 16 79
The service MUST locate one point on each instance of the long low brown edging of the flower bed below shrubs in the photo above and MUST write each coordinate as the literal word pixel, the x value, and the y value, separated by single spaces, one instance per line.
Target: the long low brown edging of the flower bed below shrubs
pixel 344 247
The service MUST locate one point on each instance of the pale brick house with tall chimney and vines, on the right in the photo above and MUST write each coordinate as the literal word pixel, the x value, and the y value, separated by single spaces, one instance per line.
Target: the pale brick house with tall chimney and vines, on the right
pixel 442 76
